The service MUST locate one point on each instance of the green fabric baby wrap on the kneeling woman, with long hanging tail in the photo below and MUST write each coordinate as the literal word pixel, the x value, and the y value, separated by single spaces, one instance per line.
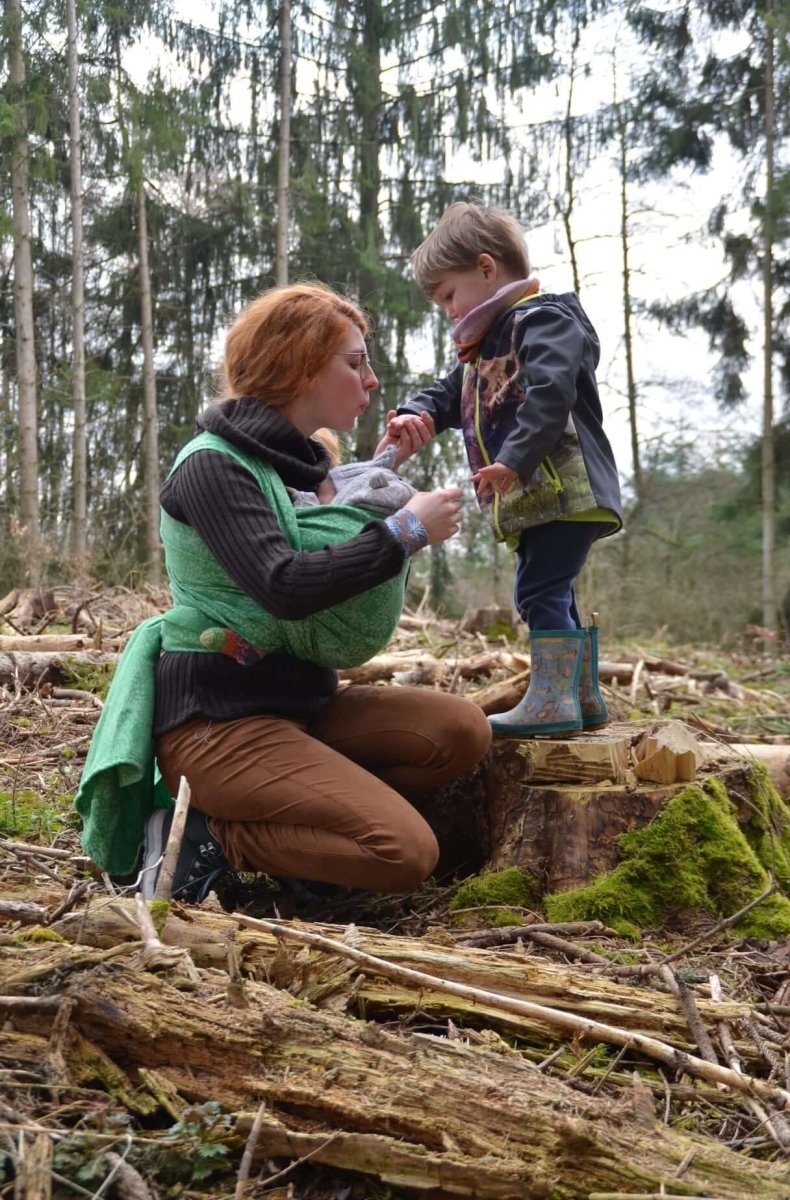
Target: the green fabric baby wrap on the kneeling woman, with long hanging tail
pixel 121 784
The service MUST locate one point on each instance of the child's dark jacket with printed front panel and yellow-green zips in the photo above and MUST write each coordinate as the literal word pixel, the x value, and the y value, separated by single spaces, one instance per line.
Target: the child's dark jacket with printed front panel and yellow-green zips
pixel 531 401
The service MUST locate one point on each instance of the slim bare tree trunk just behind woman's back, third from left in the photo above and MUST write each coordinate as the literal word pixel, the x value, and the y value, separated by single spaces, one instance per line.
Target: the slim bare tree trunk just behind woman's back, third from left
pixel 151 440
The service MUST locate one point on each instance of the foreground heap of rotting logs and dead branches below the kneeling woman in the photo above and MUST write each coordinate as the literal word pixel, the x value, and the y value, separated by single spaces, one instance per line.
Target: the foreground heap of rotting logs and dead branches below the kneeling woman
pixel 495 1072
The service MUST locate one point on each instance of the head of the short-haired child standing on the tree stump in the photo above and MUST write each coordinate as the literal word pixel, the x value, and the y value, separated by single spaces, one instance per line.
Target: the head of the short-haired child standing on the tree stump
pixel 470 256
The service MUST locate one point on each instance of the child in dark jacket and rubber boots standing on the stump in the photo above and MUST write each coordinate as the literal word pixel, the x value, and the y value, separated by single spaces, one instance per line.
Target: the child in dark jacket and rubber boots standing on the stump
pixel 525 397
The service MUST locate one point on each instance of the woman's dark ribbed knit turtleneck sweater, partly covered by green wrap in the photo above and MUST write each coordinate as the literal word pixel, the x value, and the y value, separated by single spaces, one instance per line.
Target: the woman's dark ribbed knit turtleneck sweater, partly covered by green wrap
pixel 224 505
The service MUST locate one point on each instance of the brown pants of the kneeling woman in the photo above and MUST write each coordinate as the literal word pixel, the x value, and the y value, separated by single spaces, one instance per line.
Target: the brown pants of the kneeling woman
pixel 326 801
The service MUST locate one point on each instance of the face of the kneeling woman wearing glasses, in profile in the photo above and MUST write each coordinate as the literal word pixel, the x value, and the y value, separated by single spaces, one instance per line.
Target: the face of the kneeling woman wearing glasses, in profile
pixel 340 393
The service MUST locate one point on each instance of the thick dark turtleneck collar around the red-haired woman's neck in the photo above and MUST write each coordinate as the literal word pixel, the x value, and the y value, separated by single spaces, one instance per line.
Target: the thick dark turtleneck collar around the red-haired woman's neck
pixel 262 431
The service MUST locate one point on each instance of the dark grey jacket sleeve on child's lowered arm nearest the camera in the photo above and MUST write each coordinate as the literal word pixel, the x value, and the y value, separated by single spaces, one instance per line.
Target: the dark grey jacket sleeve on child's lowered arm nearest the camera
pixel 550 346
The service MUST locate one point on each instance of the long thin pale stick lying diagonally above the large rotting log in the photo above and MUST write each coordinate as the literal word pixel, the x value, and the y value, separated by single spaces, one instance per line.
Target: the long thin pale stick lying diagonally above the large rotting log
pixel 583 1028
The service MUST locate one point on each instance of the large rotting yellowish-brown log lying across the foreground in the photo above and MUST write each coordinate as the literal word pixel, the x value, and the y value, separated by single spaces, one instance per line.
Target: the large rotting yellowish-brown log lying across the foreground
pixel 412 1111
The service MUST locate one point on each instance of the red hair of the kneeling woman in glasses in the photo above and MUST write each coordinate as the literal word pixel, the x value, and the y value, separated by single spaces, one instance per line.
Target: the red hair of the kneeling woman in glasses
pixel 284 339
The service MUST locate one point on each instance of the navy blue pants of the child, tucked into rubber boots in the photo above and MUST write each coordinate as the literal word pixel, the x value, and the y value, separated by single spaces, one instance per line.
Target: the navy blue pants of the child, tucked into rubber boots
pixel 548 561
